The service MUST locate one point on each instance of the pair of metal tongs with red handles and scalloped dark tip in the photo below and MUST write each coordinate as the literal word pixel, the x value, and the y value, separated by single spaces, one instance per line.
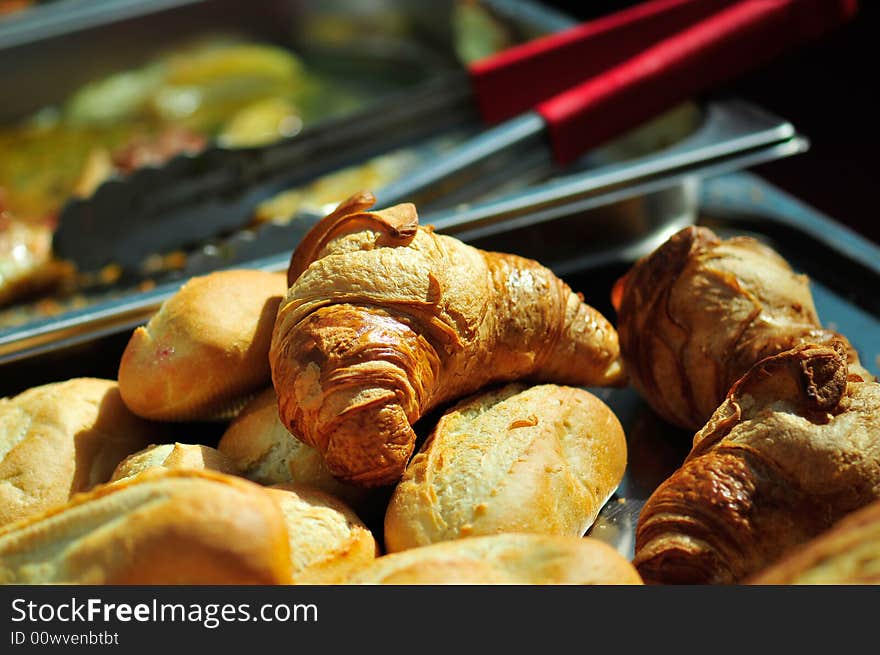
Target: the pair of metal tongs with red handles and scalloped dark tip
pixel 559 96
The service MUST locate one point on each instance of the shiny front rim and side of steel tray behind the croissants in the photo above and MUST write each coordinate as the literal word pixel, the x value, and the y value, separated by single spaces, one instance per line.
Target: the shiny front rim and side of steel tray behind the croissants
pixel 590 221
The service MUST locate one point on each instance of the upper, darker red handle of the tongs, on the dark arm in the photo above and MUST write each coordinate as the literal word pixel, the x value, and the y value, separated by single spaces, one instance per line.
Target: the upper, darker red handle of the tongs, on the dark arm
pixel 517 79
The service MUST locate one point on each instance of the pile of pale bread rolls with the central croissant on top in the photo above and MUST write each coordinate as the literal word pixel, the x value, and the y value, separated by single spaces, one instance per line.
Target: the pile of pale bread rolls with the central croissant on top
pixel 318 377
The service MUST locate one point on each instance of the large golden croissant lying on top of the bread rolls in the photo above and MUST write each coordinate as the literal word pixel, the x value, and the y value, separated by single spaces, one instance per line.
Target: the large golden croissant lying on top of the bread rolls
pixel 385 320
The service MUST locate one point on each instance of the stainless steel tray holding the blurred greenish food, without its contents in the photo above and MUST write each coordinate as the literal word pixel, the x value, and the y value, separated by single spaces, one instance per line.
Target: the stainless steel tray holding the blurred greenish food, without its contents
pixel 661 163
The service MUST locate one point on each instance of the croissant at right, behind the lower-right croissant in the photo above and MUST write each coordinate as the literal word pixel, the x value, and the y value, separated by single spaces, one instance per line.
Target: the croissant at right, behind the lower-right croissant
pixel 698 312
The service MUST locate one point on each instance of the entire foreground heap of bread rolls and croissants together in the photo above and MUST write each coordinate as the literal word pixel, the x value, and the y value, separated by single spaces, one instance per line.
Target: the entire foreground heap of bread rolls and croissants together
pixel 398 373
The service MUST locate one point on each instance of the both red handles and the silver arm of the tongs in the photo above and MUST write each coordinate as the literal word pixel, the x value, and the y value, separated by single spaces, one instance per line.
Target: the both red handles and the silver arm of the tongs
pixel 601 78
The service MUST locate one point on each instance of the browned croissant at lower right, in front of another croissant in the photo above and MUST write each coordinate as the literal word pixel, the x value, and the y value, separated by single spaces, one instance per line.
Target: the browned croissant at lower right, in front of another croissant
pixel 793 448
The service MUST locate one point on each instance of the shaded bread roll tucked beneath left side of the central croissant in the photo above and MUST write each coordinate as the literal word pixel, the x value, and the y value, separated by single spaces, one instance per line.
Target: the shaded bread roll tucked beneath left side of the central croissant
pixel 265 452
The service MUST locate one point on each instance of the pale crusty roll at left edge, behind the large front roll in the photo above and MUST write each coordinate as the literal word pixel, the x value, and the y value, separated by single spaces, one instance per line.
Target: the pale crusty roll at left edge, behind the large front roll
pixel 61 438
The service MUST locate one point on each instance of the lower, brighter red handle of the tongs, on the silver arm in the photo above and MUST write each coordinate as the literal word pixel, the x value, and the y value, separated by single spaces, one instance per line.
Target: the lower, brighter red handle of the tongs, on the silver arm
pixel 728 43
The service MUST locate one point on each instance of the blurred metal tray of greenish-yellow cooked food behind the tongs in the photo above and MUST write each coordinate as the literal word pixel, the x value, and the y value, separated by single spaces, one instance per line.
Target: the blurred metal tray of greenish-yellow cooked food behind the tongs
pixel 63 57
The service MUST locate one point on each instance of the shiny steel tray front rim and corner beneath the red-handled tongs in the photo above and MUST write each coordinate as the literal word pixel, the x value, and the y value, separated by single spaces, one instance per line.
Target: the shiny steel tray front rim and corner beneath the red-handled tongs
pixel 631 205
